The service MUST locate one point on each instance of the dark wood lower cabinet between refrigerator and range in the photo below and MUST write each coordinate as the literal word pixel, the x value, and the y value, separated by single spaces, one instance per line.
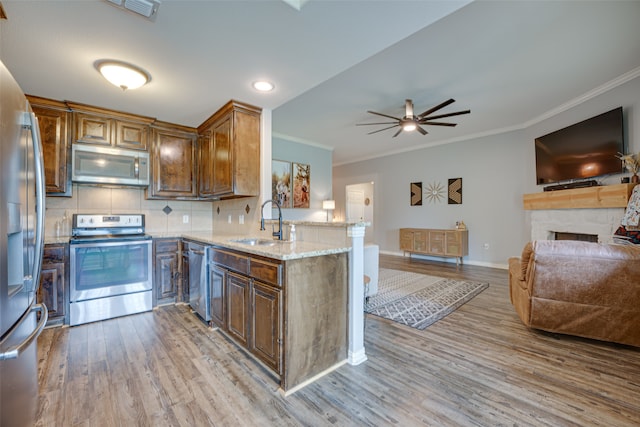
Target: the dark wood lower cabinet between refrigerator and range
pixel 53 291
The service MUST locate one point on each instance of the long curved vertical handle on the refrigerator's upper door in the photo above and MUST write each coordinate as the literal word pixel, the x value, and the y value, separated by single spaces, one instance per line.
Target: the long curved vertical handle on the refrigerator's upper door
pixel 40 200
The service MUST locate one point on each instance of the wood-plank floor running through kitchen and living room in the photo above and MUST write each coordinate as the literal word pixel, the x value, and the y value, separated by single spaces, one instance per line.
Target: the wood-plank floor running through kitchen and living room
pixel 479 366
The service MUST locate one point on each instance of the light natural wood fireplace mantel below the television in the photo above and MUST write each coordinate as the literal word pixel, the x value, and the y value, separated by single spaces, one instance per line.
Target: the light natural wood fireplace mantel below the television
pixel 606 196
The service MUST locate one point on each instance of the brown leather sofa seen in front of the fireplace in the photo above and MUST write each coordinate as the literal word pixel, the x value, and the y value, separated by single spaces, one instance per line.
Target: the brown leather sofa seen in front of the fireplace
pixel 586 289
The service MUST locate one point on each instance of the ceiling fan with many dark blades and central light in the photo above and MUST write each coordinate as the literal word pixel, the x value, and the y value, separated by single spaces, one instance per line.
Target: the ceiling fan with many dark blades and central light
pixel 411 122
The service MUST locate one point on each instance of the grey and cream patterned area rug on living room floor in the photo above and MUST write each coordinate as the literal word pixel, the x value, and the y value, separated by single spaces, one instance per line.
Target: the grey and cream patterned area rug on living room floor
pixel 418 300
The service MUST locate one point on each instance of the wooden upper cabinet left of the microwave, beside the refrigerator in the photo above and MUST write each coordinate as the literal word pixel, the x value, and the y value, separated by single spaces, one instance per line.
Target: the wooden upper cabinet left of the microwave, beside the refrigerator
pixel 54 120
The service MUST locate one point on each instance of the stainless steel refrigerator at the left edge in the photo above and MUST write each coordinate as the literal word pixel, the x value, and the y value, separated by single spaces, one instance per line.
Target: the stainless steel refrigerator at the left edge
pixel 21 245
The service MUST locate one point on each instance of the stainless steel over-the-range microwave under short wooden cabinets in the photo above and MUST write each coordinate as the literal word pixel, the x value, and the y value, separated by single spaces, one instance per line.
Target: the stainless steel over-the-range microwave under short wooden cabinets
pixel 111 166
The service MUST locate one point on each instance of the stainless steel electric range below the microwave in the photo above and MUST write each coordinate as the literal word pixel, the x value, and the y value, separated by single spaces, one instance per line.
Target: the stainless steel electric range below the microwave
pixel 111 267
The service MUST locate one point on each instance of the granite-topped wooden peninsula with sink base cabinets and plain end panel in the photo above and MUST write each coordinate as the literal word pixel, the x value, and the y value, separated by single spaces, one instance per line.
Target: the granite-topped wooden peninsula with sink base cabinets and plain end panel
pixel 283 302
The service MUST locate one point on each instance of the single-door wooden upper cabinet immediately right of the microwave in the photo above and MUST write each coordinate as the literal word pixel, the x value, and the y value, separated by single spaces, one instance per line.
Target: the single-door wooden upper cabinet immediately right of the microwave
pixel 173 163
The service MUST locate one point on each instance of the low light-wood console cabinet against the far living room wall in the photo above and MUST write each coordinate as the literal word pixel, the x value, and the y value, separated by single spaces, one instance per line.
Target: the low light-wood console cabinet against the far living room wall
pixel 435 242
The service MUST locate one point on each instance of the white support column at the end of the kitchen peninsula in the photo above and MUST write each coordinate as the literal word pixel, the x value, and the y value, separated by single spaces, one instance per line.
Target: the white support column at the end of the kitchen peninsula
pixel 356 353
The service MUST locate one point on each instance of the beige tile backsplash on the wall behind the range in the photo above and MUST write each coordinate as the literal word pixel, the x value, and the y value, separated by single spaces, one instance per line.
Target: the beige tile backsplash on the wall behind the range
pixel 90 199
